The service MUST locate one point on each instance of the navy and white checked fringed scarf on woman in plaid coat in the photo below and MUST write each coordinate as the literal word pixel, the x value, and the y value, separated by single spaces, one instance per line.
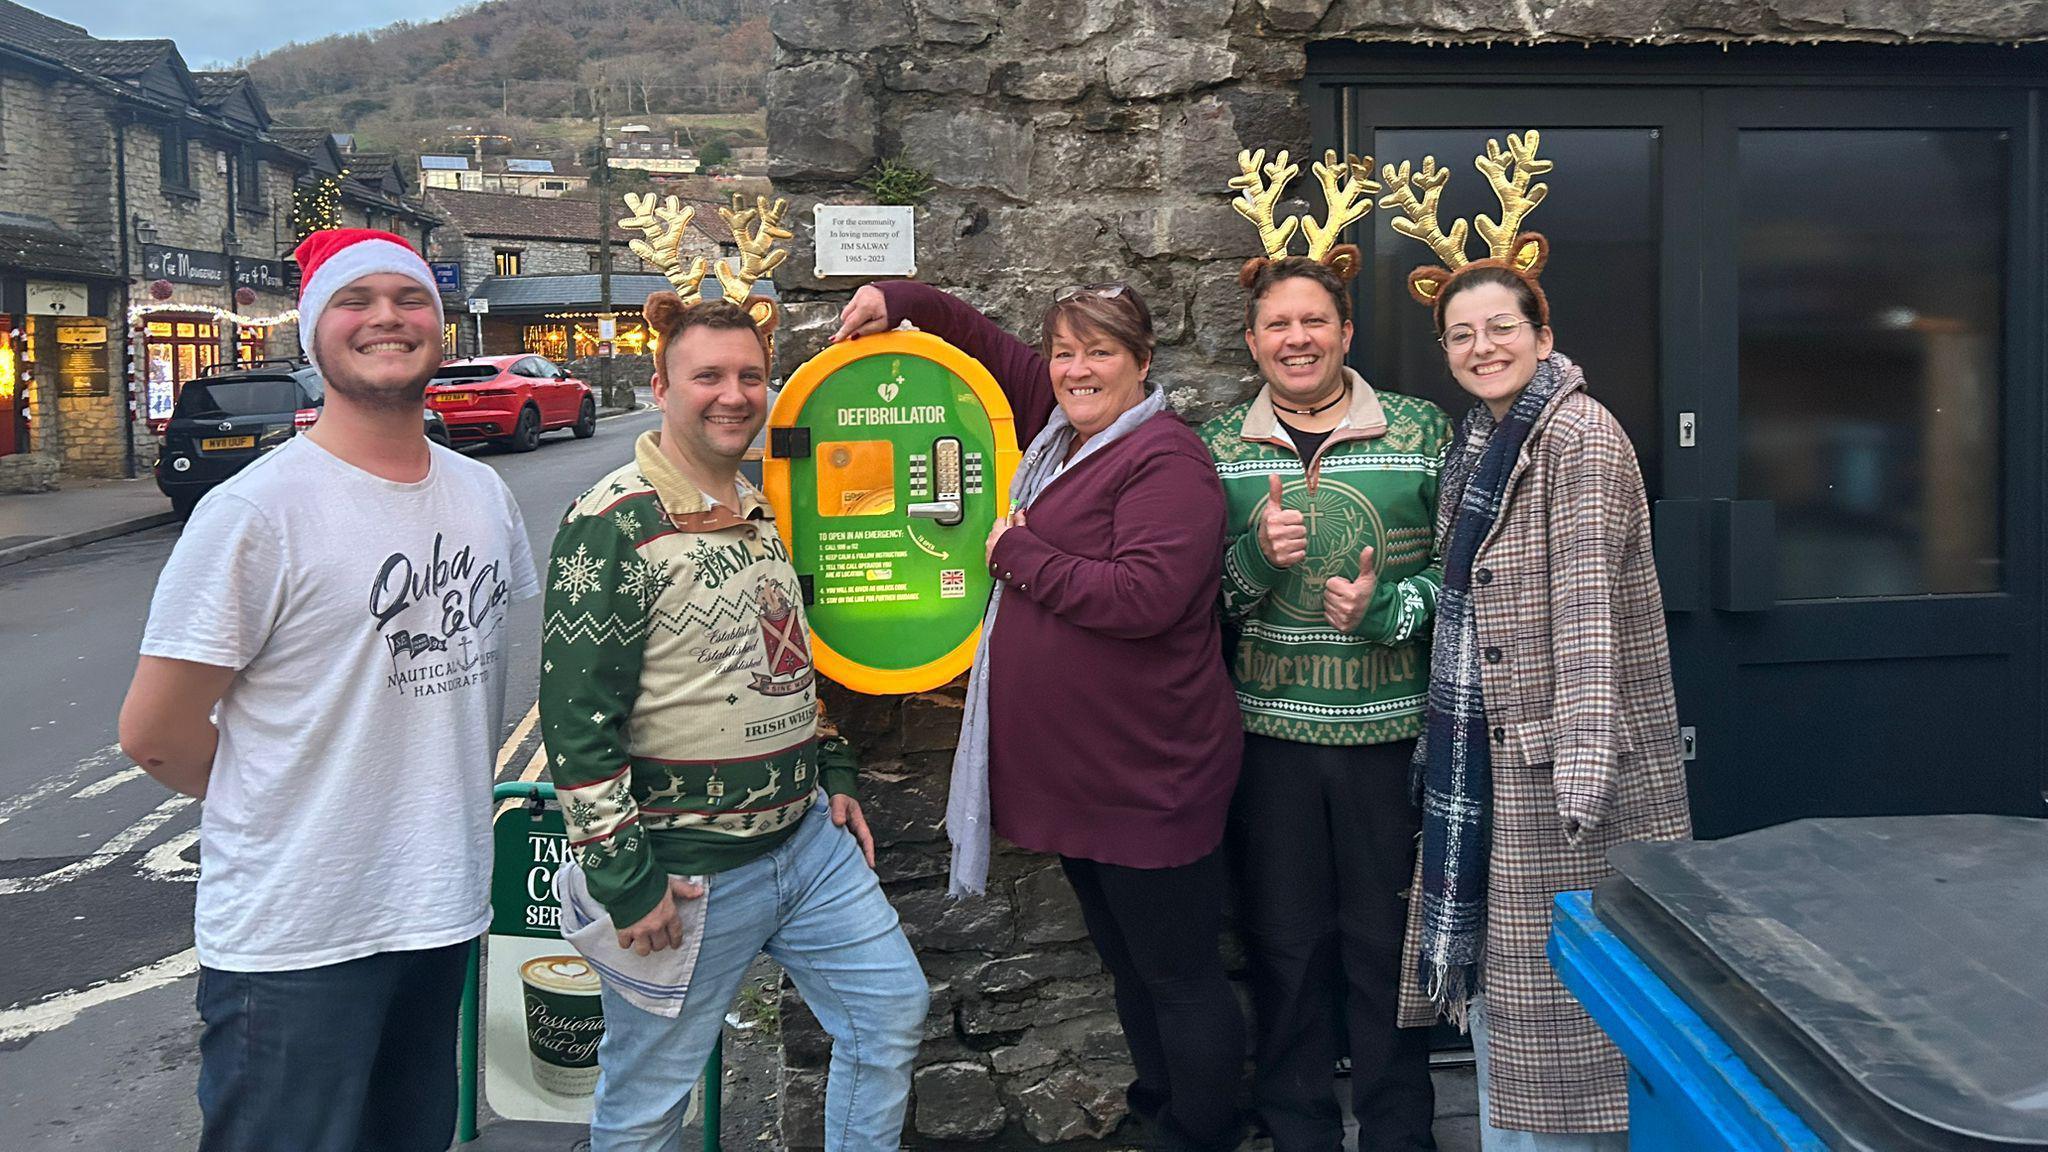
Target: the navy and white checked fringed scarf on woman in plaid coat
pixel 1453 764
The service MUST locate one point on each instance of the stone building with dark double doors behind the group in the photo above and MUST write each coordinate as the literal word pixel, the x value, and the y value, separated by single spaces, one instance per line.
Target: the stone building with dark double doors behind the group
pixel 1795 247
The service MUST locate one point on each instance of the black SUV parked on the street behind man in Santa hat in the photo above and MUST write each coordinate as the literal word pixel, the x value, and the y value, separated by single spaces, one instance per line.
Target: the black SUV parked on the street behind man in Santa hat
pixel 234 415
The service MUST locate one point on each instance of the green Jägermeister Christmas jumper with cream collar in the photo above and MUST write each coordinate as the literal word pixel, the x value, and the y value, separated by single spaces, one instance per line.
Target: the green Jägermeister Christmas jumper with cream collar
pixel 1373 483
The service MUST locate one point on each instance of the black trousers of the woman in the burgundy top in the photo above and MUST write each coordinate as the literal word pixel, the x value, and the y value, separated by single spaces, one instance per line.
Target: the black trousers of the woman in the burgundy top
pixel 1156 932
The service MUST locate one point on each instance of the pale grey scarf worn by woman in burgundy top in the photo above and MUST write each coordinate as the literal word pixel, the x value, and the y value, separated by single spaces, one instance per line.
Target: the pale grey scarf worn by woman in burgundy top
pixel 968 805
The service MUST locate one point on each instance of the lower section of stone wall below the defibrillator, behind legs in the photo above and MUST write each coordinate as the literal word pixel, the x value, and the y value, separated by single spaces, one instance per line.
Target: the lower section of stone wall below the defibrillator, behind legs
pixel 1023 1044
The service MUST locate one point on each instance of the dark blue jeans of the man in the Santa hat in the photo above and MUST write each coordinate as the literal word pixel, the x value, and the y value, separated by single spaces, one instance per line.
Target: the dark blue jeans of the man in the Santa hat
pixel 353 1057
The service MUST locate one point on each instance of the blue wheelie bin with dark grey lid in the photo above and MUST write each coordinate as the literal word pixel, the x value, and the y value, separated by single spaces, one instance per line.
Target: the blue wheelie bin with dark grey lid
pixel 1873 985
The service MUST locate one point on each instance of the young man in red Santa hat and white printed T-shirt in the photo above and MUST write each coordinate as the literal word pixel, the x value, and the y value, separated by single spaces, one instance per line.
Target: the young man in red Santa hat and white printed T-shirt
pixel 343 602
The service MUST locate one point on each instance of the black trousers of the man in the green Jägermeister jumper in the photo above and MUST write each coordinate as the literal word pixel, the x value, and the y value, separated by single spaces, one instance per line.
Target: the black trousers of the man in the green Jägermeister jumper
pixel 1324 841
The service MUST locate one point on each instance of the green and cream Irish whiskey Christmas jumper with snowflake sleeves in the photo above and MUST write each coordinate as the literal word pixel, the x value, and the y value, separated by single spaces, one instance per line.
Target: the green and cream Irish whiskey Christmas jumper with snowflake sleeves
pixel 677 688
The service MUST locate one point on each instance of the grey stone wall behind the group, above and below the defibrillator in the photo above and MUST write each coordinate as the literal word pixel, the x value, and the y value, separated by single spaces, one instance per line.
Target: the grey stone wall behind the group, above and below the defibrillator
pixel 1074 142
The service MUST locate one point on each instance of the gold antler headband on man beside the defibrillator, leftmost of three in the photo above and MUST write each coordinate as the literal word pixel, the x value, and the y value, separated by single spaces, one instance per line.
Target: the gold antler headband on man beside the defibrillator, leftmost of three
pixel 755 229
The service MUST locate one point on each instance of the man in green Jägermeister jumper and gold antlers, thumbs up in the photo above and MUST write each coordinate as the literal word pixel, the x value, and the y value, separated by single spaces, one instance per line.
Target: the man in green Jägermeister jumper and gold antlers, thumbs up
pixel 1330 583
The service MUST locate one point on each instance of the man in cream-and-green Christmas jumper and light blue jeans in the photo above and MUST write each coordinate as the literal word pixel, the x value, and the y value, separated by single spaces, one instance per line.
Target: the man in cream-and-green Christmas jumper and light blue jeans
pixel 681 718
